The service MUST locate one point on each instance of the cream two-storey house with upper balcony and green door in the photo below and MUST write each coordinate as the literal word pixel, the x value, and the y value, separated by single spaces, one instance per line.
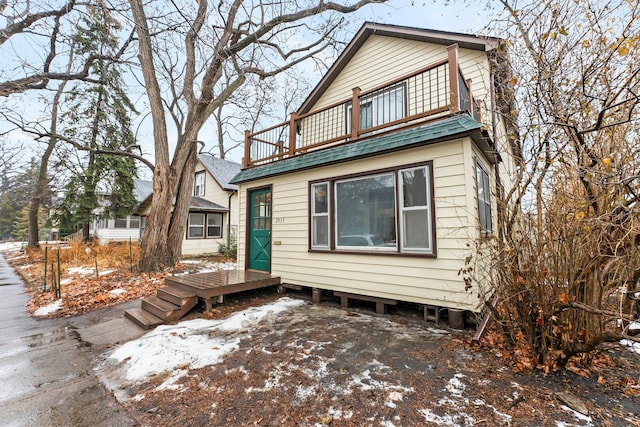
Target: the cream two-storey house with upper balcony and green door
pixel 386 173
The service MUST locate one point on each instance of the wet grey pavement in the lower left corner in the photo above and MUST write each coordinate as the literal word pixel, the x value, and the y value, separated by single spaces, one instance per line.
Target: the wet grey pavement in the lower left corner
pixel 46 376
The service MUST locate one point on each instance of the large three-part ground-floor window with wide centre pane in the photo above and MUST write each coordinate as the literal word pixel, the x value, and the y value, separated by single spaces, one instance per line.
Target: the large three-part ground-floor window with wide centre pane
pixel 389 212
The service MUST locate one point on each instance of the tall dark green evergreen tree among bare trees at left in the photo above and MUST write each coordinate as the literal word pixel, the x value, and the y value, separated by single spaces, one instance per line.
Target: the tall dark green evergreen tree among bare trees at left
pixel 98 115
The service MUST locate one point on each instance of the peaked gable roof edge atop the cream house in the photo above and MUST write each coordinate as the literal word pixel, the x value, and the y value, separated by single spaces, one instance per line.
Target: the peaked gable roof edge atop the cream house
pixel 446 38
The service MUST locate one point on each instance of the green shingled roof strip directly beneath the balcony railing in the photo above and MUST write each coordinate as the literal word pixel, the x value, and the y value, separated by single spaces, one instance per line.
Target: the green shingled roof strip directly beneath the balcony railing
pixel 456 126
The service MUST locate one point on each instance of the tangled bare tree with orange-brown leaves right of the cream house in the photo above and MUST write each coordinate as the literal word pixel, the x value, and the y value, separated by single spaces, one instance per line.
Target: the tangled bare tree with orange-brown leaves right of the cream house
pixel 568 270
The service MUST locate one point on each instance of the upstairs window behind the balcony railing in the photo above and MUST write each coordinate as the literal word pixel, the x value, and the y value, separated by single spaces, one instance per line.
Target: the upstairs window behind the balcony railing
pixel 380 107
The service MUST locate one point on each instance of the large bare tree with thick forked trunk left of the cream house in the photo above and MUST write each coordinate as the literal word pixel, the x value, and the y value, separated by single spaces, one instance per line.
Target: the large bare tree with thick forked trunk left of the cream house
pixel 223 45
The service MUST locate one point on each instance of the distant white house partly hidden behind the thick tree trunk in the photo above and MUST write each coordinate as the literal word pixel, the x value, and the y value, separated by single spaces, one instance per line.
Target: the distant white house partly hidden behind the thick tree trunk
pixel 120 229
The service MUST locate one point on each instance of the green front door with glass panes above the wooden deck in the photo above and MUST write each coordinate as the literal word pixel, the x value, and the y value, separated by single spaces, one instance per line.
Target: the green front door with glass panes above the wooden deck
pixel 260 229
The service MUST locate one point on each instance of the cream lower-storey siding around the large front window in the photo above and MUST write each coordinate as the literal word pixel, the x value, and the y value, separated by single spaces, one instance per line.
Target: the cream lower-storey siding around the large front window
pixel 416 279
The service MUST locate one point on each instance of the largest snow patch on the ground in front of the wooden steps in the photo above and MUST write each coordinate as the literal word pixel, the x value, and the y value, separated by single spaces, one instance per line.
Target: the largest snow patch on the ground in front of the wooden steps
pixel 189 344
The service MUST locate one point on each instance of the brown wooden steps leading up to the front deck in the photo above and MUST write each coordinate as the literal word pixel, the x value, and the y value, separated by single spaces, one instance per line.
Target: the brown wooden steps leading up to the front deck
pixel 168 305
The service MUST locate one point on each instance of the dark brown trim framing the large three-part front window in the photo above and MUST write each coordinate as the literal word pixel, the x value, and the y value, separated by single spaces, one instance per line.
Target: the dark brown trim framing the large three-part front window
pixel 398 251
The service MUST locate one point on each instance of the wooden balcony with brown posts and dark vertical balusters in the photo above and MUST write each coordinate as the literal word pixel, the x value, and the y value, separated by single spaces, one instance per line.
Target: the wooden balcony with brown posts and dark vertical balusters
pixel 427 94
